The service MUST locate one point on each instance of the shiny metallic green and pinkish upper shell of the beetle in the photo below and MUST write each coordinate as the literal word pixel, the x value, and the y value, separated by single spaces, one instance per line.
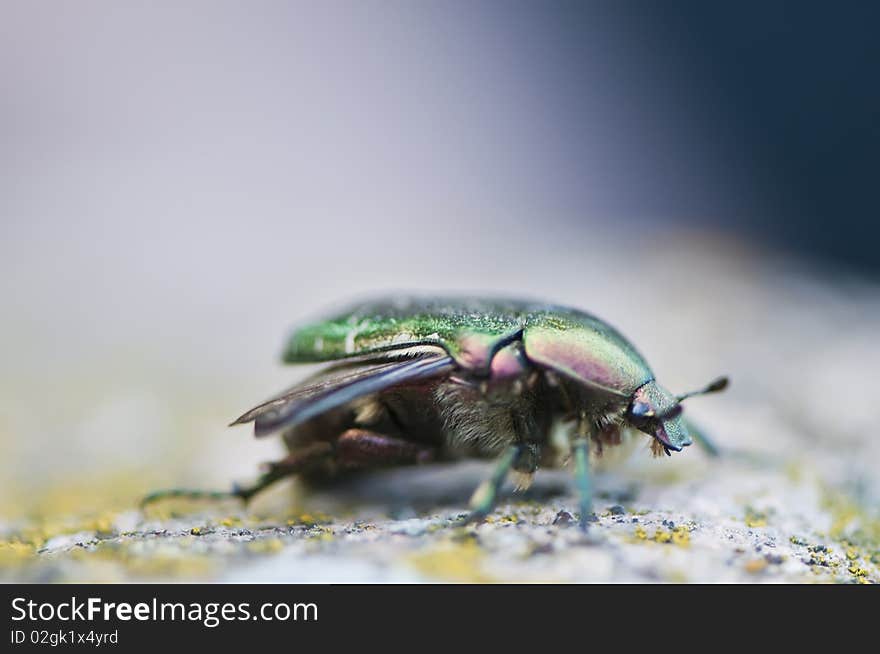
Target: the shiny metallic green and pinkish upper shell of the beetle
pixel 470 330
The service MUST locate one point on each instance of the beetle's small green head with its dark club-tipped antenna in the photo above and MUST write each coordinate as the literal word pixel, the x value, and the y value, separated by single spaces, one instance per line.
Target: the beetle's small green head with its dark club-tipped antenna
pixel 657 412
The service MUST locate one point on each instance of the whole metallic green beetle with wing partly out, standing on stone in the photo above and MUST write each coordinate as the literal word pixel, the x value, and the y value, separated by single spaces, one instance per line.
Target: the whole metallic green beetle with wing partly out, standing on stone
pixel 413 379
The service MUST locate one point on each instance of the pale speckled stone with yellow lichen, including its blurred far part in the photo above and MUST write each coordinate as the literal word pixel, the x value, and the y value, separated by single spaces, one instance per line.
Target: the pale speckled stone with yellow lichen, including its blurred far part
pixel 794 497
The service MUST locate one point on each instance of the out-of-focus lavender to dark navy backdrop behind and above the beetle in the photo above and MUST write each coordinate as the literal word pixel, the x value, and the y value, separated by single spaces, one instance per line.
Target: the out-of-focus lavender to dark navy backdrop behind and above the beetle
pixel 182 182
